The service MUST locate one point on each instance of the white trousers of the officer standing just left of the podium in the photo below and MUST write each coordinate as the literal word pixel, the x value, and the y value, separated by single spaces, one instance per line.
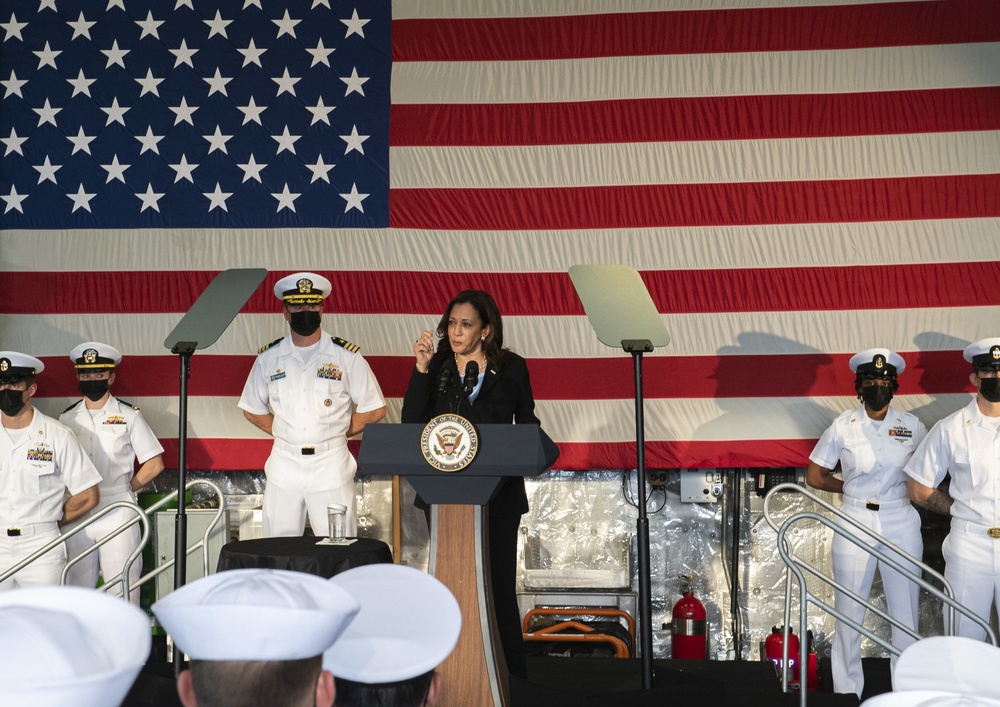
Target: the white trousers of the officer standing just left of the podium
pixel 298 484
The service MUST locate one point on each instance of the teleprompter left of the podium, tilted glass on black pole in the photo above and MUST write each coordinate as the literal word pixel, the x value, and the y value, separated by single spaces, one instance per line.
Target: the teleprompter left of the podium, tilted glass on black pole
pixel 209 316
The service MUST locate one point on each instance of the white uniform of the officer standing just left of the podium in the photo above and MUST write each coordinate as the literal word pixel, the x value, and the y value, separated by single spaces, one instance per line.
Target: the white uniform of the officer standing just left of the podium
pixel 312 392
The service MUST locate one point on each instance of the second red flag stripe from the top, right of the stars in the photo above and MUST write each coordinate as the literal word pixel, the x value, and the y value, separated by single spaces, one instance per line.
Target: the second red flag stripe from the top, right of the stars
pixel 713 118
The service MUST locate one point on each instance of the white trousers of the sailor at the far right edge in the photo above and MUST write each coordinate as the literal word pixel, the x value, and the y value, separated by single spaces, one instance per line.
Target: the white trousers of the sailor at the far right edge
pixel 972 566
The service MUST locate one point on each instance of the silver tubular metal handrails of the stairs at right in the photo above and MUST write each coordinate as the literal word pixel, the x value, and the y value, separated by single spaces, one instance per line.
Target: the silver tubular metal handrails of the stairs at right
pixel 794 565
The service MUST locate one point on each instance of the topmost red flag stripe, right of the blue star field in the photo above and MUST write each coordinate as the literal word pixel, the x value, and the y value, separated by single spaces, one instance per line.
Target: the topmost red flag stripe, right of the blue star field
pixel 696 32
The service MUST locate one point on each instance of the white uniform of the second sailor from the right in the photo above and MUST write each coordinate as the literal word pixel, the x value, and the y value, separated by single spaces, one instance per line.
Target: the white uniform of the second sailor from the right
pixel 872 455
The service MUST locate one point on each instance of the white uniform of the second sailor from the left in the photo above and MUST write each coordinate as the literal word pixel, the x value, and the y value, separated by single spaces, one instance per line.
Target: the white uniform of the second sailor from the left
pixel 114 437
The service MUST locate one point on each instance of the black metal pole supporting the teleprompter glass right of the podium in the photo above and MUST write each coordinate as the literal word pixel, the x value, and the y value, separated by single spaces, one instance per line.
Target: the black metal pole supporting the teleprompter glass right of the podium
pixel 637 347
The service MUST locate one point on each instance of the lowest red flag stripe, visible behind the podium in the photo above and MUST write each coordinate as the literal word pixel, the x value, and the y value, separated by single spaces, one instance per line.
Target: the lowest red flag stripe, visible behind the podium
pixel 233 454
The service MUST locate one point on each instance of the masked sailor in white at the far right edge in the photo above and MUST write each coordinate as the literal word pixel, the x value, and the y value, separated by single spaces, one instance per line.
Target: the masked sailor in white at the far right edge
pixel 966 445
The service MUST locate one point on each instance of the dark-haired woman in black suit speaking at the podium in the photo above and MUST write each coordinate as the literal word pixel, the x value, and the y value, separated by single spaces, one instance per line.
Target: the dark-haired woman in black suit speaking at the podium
pixel 471 374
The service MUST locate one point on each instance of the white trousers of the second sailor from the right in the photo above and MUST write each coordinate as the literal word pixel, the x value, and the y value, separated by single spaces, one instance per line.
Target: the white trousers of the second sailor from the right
pixel 855 569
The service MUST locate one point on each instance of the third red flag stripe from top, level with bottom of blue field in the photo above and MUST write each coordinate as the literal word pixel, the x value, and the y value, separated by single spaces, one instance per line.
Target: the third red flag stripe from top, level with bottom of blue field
pixel 650 206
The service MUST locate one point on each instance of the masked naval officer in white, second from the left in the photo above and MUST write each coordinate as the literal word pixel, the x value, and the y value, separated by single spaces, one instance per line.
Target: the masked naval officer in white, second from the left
pixel 115 435
